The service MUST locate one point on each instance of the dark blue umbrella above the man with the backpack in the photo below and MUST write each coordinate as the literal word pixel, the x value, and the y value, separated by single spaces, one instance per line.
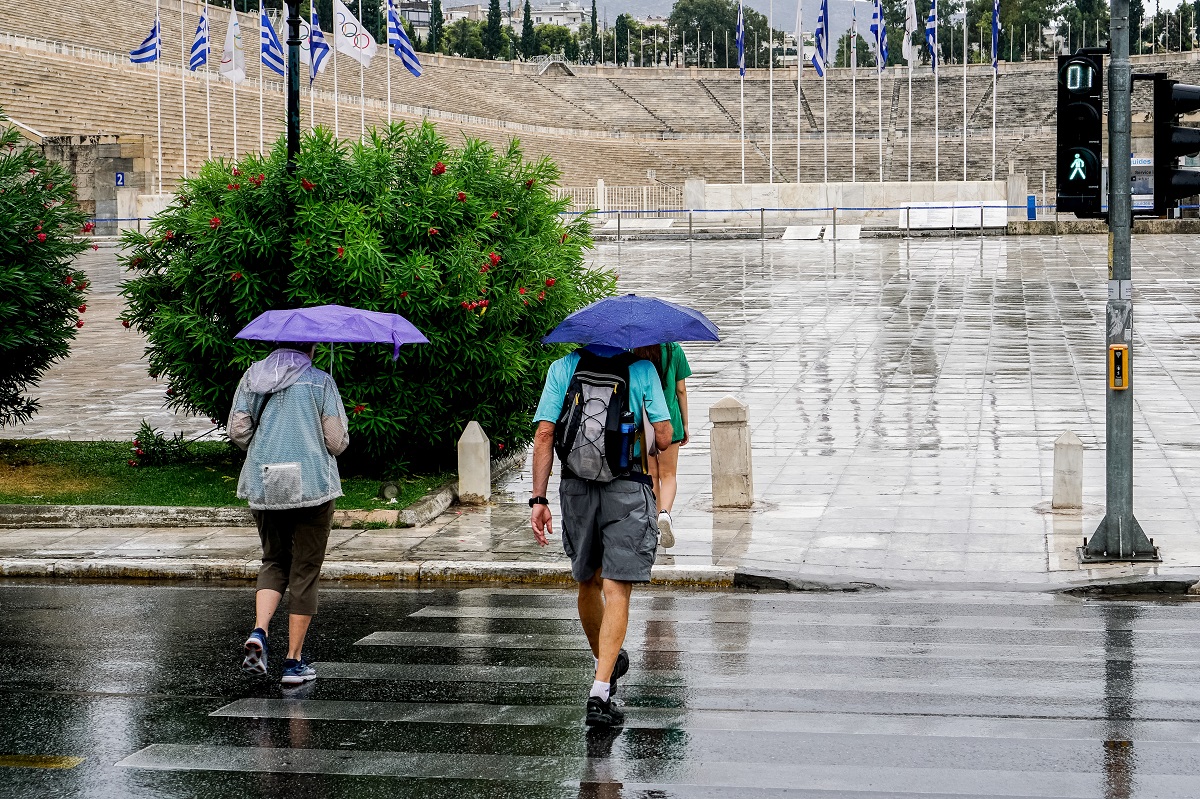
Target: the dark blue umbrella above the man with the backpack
pixel 633 321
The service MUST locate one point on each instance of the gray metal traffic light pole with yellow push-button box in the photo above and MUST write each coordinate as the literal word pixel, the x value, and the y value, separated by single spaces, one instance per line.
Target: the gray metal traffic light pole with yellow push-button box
pixel 1119 537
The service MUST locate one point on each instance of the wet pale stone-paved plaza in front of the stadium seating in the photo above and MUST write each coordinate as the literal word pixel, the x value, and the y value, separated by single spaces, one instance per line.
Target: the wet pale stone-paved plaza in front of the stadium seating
pixel 904 399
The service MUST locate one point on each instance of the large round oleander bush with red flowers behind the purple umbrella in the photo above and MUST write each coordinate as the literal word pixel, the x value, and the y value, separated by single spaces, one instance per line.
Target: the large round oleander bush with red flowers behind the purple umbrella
pixel 467 244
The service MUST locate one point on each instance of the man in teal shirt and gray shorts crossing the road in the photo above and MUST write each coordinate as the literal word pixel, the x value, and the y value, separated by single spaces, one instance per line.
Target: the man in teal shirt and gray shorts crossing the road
pixel 609 528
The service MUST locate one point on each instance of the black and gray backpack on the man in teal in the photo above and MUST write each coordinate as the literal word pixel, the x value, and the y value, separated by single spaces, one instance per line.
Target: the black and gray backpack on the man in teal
pixel 596 432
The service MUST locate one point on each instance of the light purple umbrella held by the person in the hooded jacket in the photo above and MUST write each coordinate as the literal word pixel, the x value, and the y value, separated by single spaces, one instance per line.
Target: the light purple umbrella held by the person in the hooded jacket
pixel 334 325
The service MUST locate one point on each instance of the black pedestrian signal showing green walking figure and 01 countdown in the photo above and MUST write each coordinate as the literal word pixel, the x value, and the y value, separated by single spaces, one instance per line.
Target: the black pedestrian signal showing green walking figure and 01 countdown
pixel 1081 133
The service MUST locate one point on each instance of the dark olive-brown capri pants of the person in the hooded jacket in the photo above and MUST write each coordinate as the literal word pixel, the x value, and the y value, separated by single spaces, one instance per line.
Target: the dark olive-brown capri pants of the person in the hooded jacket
pixel 293 549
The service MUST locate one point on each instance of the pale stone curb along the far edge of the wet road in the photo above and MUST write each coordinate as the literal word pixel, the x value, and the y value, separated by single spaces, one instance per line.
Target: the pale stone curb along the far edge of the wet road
pixel 428 572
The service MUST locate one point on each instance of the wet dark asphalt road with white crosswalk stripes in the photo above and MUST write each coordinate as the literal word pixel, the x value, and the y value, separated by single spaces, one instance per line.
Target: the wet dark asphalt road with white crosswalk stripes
pixel 134 692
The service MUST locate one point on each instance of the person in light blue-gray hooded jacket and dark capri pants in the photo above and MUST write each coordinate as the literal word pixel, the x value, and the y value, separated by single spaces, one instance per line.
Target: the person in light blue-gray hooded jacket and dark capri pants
pixel 290 419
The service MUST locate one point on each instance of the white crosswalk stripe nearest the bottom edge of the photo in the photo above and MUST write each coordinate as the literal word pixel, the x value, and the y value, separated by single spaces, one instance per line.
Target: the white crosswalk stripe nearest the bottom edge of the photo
pixel 631 773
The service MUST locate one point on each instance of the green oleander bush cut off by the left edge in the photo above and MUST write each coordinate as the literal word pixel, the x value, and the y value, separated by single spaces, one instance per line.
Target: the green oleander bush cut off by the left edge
pixel 43 297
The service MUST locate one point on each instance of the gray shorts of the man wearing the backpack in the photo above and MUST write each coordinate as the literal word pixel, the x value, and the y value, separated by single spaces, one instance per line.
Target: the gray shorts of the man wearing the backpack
pixel 613 527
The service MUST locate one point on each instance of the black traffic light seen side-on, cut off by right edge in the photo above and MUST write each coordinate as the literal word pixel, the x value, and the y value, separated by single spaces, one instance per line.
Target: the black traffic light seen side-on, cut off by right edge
pixel 1173 141
